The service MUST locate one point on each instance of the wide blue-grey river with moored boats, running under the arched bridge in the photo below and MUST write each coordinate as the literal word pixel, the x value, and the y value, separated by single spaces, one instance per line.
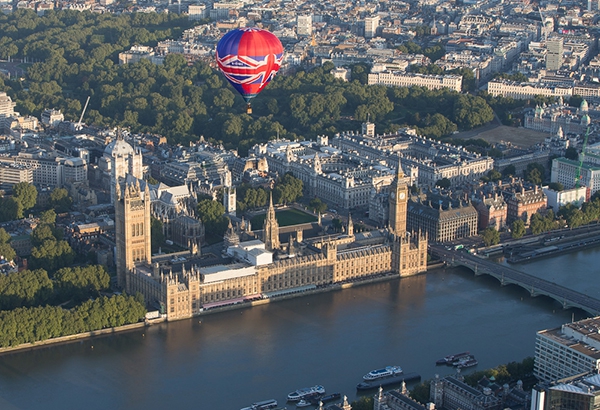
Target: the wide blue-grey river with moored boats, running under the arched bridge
pixel 229 360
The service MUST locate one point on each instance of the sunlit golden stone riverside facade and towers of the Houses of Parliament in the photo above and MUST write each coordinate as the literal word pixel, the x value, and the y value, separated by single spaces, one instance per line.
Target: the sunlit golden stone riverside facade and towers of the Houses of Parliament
pixel 186 293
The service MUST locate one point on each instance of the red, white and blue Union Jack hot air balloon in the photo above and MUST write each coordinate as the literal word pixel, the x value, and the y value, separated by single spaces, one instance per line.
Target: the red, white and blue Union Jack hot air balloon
pixel 249 58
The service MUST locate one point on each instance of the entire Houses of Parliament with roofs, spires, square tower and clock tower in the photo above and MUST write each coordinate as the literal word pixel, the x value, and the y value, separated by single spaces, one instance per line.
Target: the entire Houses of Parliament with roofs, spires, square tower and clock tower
pixel 262 266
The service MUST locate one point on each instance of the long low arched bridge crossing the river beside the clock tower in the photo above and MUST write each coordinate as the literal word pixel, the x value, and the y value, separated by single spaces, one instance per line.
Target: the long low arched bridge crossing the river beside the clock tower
pixel 535 286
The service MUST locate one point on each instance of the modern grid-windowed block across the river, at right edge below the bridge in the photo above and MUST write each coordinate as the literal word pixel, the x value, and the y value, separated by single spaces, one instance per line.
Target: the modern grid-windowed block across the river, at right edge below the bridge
pixel 570 350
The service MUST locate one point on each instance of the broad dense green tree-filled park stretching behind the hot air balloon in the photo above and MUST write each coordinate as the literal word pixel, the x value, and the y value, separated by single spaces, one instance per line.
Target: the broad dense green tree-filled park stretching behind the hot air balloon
pixel 75 55
